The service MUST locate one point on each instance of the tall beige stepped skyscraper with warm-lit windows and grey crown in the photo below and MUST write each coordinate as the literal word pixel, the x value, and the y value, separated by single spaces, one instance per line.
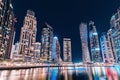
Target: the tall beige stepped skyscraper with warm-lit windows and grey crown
pixel 28 35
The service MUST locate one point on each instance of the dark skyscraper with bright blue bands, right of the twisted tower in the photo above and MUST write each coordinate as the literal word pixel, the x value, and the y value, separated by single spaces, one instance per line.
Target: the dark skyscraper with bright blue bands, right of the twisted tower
pixel 94 43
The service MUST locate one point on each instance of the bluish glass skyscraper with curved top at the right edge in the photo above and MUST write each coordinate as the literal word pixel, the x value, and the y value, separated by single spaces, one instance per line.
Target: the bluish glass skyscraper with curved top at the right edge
pixel 115 26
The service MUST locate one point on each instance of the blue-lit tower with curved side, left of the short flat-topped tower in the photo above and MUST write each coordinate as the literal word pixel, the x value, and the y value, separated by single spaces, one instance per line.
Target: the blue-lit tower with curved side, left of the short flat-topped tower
pixel 56 50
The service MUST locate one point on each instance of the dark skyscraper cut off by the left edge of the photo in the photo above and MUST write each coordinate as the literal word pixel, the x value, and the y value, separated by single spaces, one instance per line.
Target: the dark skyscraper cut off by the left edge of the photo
pixel 7 23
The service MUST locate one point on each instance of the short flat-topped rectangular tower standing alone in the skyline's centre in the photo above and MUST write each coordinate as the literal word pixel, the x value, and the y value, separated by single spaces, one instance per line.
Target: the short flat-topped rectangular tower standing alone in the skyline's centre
pixel 67 52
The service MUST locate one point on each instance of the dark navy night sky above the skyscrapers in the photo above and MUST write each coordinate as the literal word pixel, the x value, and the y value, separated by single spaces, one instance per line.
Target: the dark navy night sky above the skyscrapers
pixel 65 16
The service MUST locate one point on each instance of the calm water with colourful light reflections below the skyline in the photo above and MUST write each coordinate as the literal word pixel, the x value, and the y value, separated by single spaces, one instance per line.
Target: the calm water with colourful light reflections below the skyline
pixel 69 73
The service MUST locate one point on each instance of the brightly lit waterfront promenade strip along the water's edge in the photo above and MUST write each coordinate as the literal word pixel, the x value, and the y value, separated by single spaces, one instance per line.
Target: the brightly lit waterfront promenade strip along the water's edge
pixel 28 66
